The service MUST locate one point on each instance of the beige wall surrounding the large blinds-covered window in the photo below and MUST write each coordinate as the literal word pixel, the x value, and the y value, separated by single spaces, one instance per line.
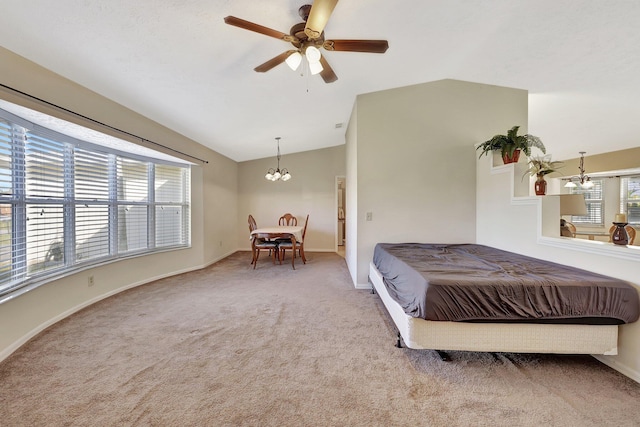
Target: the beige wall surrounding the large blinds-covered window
pixel 214 195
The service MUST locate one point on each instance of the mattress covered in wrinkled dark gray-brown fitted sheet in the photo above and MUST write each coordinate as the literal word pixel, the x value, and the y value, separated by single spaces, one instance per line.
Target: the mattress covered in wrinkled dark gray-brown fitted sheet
pixel 466 282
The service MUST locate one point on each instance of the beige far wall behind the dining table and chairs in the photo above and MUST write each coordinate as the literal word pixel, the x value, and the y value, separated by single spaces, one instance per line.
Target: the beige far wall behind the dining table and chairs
pixel 312 191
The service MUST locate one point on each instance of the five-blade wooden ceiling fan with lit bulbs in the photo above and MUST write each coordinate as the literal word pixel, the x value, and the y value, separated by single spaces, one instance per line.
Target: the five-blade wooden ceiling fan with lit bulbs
pixel 307 37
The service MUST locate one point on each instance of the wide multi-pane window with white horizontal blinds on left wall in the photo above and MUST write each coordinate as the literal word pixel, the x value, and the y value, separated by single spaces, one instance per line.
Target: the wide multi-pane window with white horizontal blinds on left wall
pixel 66 203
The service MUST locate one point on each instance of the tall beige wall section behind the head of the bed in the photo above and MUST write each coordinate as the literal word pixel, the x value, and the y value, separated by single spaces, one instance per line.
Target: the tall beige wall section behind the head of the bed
pixel 415 162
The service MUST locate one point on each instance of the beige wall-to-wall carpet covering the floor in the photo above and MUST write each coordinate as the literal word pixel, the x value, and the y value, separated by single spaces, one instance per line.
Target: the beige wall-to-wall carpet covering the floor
pixel 232 346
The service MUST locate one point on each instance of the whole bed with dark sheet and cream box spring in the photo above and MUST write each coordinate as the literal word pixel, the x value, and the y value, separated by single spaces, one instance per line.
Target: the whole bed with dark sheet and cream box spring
pixel 477 298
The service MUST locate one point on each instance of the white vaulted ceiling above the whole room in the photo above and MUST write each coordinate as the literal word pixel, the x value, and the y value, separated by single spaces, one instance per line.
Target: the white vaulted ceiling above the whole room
pixel 178 63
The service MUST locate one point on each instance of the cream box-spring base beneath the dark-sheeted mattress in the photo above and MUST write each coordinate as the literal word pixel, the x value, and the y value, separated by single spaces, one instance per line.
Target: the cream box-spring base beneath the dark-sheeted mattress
pixel 495 337
